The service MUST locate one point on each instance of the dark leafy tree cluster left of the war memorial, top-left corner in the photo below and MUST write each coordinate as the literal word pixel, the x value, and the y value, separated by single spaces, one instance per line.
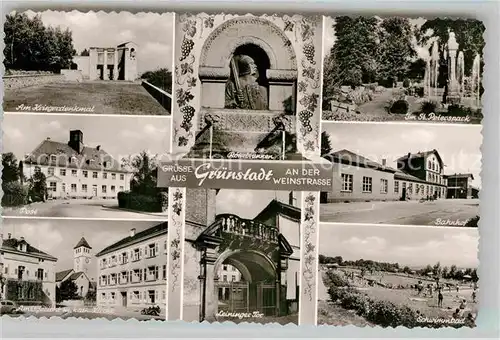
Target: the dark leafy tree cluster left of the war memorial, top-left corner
pixel 29 45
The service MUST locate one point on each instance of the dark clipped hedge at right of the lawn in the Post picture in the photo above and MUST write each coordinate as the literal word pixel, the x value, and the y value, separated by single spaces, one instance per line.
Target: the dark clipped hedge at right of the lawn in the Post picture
pixel 141 202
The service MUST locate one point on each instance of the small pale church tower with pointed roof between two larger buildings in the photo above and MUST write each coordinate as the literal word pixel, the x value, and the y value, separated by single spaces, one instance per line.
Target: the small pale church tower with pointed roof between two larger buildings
pixel 79 275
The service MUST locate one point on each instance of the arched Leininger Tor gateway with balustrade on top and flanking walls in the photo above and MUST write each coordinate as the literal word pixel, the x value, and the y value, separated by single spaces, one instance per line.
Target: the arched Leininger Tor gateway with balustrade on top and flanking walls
pixel 265 259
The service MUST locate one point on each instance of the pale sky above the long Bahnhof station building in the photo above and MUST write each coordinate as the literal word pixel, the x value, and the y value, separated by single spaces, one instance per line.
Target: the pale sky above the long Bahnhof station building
pixel 459 145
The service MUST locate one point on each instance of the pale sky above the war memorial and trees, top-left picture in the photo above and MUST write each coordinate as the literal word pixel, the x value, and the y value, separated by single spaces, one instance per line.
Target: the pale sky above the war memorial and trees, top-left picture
pixel 152 32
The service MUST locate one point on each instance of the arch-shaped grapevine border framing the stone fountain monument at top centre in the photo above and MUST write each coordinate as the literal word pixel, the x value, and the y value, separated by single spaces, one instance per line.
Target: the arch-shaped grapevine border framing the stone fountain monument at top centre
pixel 301 31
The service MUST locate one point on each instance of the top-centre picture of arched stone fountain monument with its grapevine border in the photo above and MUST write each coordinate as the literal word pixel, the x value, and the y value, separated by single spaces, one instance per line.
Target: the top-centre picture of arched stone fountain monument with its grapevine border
pixel 247 85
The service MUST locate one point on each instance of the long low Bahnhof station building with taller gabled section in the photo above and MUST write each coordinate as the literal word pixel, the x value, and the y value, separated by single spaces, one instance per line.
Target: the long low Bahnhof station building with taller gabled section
pixel 356 178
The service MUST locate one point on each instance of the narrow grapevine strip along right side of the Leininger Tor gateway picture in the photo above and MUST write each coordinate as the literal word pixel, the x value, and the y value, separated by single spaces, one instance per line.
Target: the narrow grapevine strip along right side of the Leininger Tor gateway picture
pixel 309 255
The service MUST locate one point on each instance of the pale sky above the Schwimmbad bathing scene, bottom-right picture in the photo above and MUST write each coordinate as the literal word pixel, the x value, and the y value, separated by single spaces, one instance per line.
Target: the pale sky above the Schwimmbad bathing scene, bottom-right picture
pixel 411 246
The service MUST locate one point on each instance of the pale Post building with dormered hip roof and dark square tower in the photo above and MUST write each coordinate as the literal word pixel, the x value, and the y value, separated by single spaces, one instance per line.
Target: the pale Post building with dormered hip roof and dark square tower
pixel 74 170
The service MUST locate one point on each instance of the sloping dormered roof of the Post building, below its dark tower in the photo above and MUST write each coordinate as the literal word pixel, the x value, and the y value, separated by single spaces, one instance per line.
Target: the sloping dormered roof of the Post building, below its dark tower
pixel 102 161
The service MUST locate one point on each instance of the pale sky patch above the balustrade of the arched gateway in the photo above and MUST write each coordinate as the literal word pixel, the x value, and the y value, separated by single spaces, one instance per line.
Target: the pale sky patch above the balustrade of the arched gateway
pixel 245 203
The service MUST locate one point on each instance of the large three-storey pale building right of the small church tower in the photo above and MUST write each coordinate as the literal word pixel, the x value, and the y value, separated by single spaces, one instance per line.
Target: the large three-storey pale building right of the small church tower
pixel 132 272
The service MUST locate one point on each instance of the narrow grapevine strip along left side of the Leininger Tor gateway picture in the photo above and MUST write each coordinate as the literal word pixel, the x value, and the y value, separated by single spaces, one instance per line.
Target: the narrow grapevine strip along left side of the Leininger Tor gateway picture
pixel 175 243
